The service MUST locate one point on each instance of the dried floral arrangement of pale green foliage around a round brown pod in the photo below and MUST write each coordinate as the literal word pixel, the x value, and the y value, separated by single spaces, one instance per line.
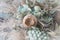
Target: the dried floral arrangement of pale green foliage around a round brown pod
pixel 34 12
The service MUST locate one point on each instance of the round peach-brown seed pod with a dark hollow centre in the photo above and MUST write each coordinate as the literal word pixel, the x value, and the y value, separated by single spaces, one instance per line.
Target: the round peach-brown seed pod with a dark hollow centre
pixel 29 20
